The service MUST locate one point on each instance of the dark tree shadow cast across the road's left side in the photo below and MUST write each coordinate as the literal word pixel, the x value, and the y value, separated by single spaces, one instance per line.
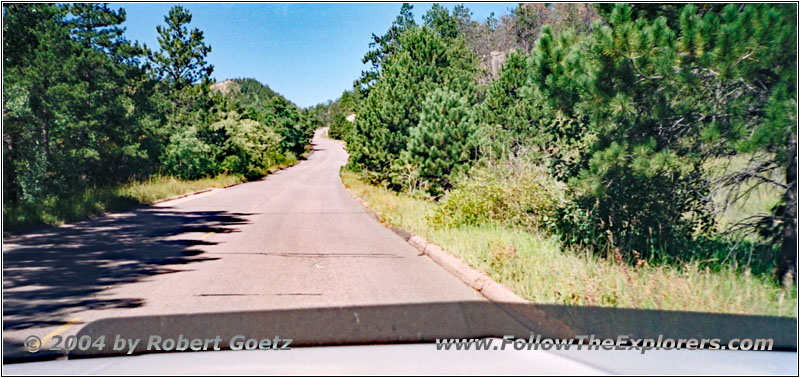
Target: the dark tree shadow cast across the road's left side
pixel 54 272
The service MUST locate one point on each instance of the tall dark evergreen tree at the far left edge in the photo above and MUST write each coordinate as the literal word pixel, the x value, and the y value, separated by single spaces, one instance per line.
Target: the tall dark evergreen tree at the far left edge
pixel 30 71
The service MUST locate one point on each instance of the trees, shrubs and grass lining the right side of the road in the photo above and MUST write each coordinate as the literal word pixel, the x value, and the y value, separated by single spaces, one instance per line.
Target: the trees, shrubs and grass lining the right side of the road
pixel 634 155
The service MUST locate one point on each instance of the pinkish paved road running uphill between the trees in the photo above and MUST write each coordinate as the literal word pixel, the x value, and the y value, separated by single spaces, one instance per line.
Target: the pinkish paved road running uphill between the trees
pixel 296 239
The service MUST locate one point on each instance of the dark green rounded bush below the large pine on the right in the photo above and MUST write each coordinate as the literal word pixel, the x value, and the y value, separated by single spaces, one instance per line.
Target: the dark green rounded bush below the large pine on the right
pixel 648 204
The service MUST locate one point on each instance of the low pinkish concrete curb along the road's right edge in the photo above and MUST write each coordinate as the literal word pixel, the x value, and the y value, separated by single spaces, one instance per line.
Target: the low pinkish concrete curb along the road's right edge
pixel 482 283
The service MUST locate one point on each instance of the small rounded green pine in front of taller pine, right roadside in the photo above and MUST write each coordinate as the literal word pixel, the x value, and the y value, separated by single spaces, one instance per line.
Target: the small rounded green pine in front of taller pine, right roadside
pixel 443 143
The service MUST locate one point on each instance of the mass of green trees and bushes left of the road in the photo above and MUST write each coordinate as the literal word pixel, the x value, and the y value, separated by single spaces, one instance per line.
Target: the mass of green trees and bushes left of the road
pixel 82 110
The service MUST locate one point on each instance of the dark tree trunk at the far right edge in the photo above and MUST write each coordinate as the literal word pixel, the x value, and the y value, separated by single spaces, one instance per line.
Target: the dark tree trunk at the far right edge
pixel 787 261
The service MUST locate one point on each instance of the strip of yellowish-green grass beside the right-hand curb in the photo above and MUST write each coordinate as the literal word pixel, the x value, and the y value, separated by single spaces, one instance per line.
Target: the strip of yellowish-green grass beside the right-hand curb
pixel 539 268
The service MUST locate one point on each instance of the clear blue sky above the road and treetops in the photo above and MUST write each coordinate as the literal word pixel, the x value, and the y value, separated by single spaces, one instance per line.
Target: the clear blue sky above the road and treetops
pixel 309 53
